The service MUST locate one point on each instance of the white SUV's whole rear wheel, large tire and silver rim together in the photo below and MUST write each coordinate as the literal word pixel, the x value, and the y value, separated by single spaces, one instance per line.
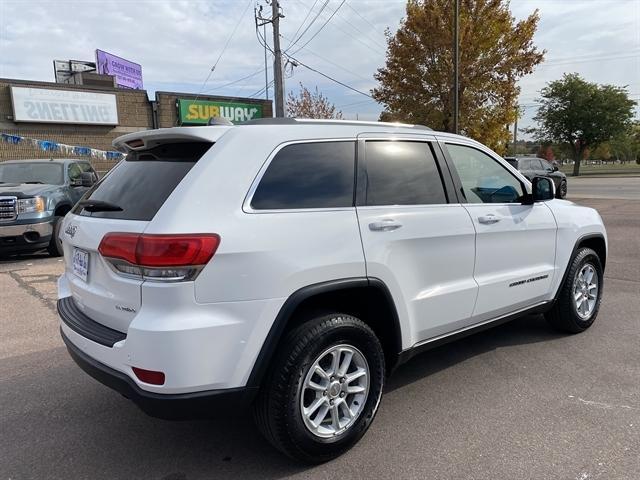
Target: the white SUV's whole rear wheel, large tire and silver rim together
pixel 323 390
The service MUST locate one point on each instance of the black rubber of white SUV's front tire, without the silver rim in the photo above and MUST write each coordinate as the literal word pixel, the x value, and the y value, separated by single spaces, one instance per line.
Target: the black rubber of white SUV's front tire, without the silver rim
pixel 564 315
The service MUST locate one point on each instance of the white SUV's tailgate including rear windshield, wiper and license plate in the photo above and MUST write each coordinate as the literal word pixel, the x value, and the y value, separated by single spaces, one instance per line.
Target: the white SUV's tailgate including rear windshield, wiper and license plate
pixel 124 201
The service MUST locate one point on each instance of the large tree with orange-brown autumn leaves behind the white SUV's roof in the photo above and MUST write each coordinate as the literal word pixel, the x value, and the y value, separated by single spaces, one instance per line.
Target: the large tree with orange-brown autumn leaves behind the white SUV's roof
pixel 416 83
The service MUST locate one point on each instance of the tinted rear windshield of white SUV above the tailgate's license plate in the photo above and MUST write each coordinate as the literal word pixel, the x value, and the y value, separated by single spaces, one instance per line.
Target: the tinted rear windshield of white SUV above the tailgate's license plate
pixel 142 182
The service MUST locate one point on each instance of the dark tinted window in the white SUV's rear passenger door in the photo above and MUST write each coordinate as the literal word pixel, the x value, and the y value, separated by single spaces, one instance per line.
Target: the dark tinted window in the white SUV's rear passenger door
pixel 401 173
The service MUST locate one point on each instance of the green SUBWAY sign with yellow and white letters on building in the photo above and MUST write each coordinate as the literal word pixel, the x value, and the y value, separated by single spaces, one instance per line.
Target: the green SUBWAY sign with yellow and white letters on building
pixel 198 112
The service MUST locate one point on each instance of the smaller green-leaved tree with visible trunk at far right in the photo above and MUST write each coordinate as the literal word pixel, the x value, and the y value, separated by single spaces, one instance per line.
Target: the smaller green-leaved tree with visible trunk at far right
pixel 582 115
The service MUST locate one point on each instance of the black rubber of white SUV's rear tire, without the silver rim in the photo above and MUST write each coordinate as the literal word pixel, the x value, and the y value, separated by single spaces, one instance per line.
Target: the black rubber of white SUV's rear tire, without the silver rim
pixel 278 410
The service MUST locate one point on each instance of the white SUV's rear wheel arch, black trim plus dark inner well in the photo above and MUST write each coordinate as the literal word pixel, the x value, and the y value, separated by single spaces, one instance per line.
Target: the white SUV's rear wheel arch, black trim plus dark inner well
pixel 368 299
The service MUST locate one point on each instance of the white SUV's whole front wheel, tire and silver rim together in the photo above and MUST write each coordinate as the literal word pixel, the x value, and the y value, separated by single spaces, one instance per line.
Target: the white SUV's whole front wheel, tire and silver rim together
pixel 579 300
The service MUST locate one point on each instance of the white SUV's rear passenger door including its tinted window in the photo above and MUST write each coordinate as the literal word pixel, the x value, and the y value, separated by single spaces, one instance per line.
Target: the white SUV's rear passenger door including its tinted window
pixel 415 241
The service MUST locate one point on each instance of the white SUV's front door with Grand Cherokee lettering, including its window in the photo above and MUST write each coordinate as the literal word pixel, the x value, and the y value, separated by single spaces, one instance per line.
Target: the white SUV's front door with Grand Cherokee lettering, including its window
pixel 515 242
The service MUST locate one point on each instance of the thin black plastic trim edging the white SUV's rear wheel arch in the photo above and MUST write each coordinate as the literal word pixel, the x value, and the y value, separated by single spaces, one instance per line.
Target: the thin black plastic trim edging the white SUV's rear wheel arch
pixel 270 344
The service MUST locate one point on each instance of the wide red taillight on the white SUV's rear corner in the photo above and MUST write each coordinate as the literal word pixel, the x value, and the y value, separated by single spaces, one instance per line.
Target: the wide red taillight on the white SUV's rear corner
pixel 160 250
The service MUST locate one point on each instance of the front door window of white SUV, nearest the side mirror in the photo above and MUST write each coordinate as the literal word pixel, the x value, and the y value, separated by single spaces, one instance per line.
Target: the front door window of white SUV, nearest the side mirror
pixel 483 179
